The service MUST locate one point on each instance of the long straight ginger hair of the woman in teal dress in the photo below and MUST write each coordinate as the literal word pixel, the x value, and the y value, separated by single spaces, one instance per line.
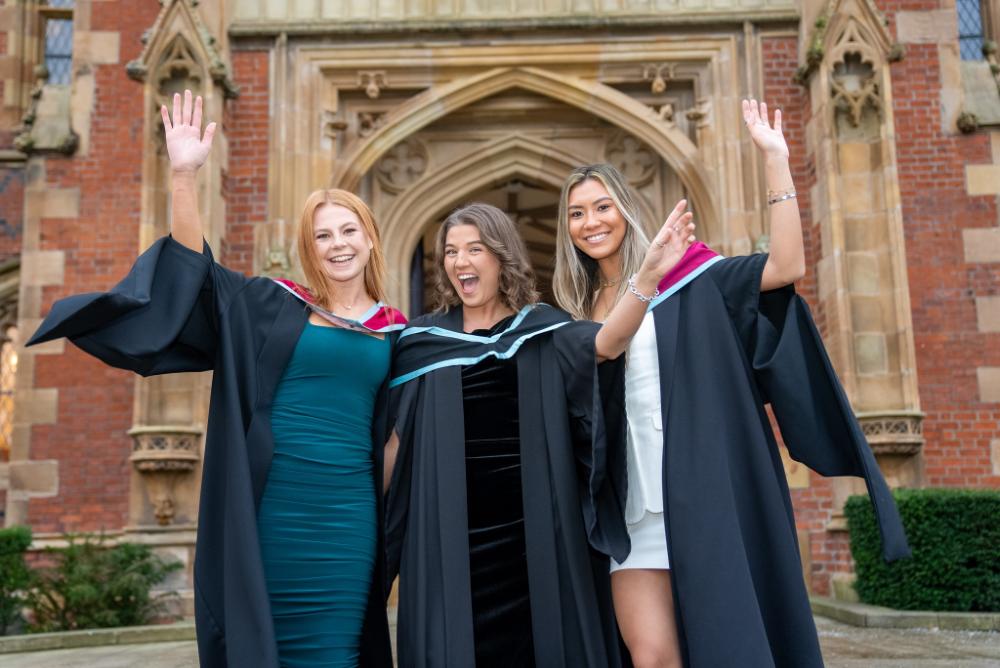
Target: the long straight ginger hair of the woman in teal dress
pixel 316 279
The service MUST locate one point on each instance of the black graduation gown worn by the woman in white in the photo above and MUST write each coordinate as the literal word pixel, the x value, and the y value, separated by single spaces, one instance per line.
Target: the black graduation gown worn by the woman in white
pixel 724 351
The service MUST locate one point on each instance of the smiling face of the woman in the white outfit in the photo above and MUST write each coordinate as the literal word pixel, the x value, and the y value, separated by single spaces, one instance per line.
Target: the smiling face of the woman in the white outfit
pixel 596 226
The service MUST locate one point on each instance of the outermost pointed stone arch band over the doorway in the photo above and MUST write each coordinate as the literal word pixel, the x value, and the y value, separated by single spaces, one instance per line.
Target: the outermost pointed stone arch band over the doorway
pixel 597 99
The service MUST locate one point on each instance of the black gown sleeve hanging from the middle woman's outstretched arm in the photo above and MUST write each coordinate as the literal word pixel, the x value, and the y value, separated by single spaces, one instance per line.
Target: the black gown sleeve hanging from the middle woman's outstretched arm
pixel 595 400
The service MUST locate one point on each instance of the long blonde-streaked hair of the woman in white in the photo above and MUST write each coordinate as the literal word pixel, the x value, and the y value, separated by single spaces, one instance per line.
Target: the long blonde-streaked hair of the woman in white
pixel 576 279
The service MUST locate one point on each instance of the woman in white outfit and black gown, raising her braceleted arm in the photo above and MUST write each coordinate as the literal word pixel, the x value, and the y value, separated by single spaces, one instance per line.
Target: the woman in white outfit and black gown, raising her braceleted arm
pixel 705 562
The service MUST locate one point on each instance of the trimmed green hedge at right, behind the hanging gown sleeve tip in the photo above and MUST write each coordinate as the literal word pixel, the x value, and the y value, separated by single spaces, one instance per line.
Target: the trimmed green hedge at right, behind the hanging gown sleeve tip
pixel 955 538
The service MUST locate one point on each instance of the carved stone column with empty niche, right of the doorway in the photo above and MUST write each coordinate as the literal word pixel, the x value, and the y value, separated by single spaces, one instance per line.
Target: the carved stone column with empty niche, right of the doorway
pixel 862 277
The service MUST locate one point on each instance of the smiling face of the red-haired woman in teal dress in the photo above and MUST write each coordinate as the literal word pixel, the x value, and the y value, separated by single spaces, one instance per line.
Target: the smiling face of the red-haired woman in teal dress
pixel 341 244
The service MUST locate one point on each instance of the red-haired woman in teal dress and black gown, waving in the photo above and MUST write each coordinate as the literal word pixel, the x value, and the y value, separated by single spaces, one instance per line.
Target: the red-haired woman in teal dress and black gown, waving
pixel 288 569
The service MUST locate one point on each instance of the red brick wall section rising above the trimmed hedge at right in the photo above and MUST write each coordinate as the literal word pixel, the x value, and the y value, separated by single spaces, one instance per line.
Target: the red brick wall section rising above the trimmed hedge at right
pixel 959 427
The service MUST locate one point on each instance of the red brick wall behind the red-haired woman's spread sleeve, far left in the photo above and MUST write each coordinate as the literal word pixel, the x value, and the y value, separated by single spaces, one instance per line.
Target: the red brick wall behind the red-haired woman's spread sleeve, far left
pixel 95 402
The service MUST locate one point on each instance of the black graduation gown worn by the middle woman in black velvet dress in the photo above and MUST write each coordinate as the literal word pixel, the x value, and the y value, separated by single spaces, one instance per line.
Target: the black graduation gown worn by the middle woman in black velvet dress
pixel 426 536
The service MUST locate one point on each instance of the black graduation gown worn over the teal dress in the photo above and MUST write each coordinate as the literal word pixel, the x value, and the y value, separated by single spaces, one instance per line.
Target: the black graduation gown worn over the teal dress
pixel 178 310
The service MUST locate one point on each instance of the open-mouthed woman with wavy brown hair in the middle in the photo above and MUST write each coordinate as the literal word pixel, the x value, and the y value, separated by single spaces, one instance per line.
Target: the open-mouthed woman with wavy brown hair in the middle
pixel 488 515
